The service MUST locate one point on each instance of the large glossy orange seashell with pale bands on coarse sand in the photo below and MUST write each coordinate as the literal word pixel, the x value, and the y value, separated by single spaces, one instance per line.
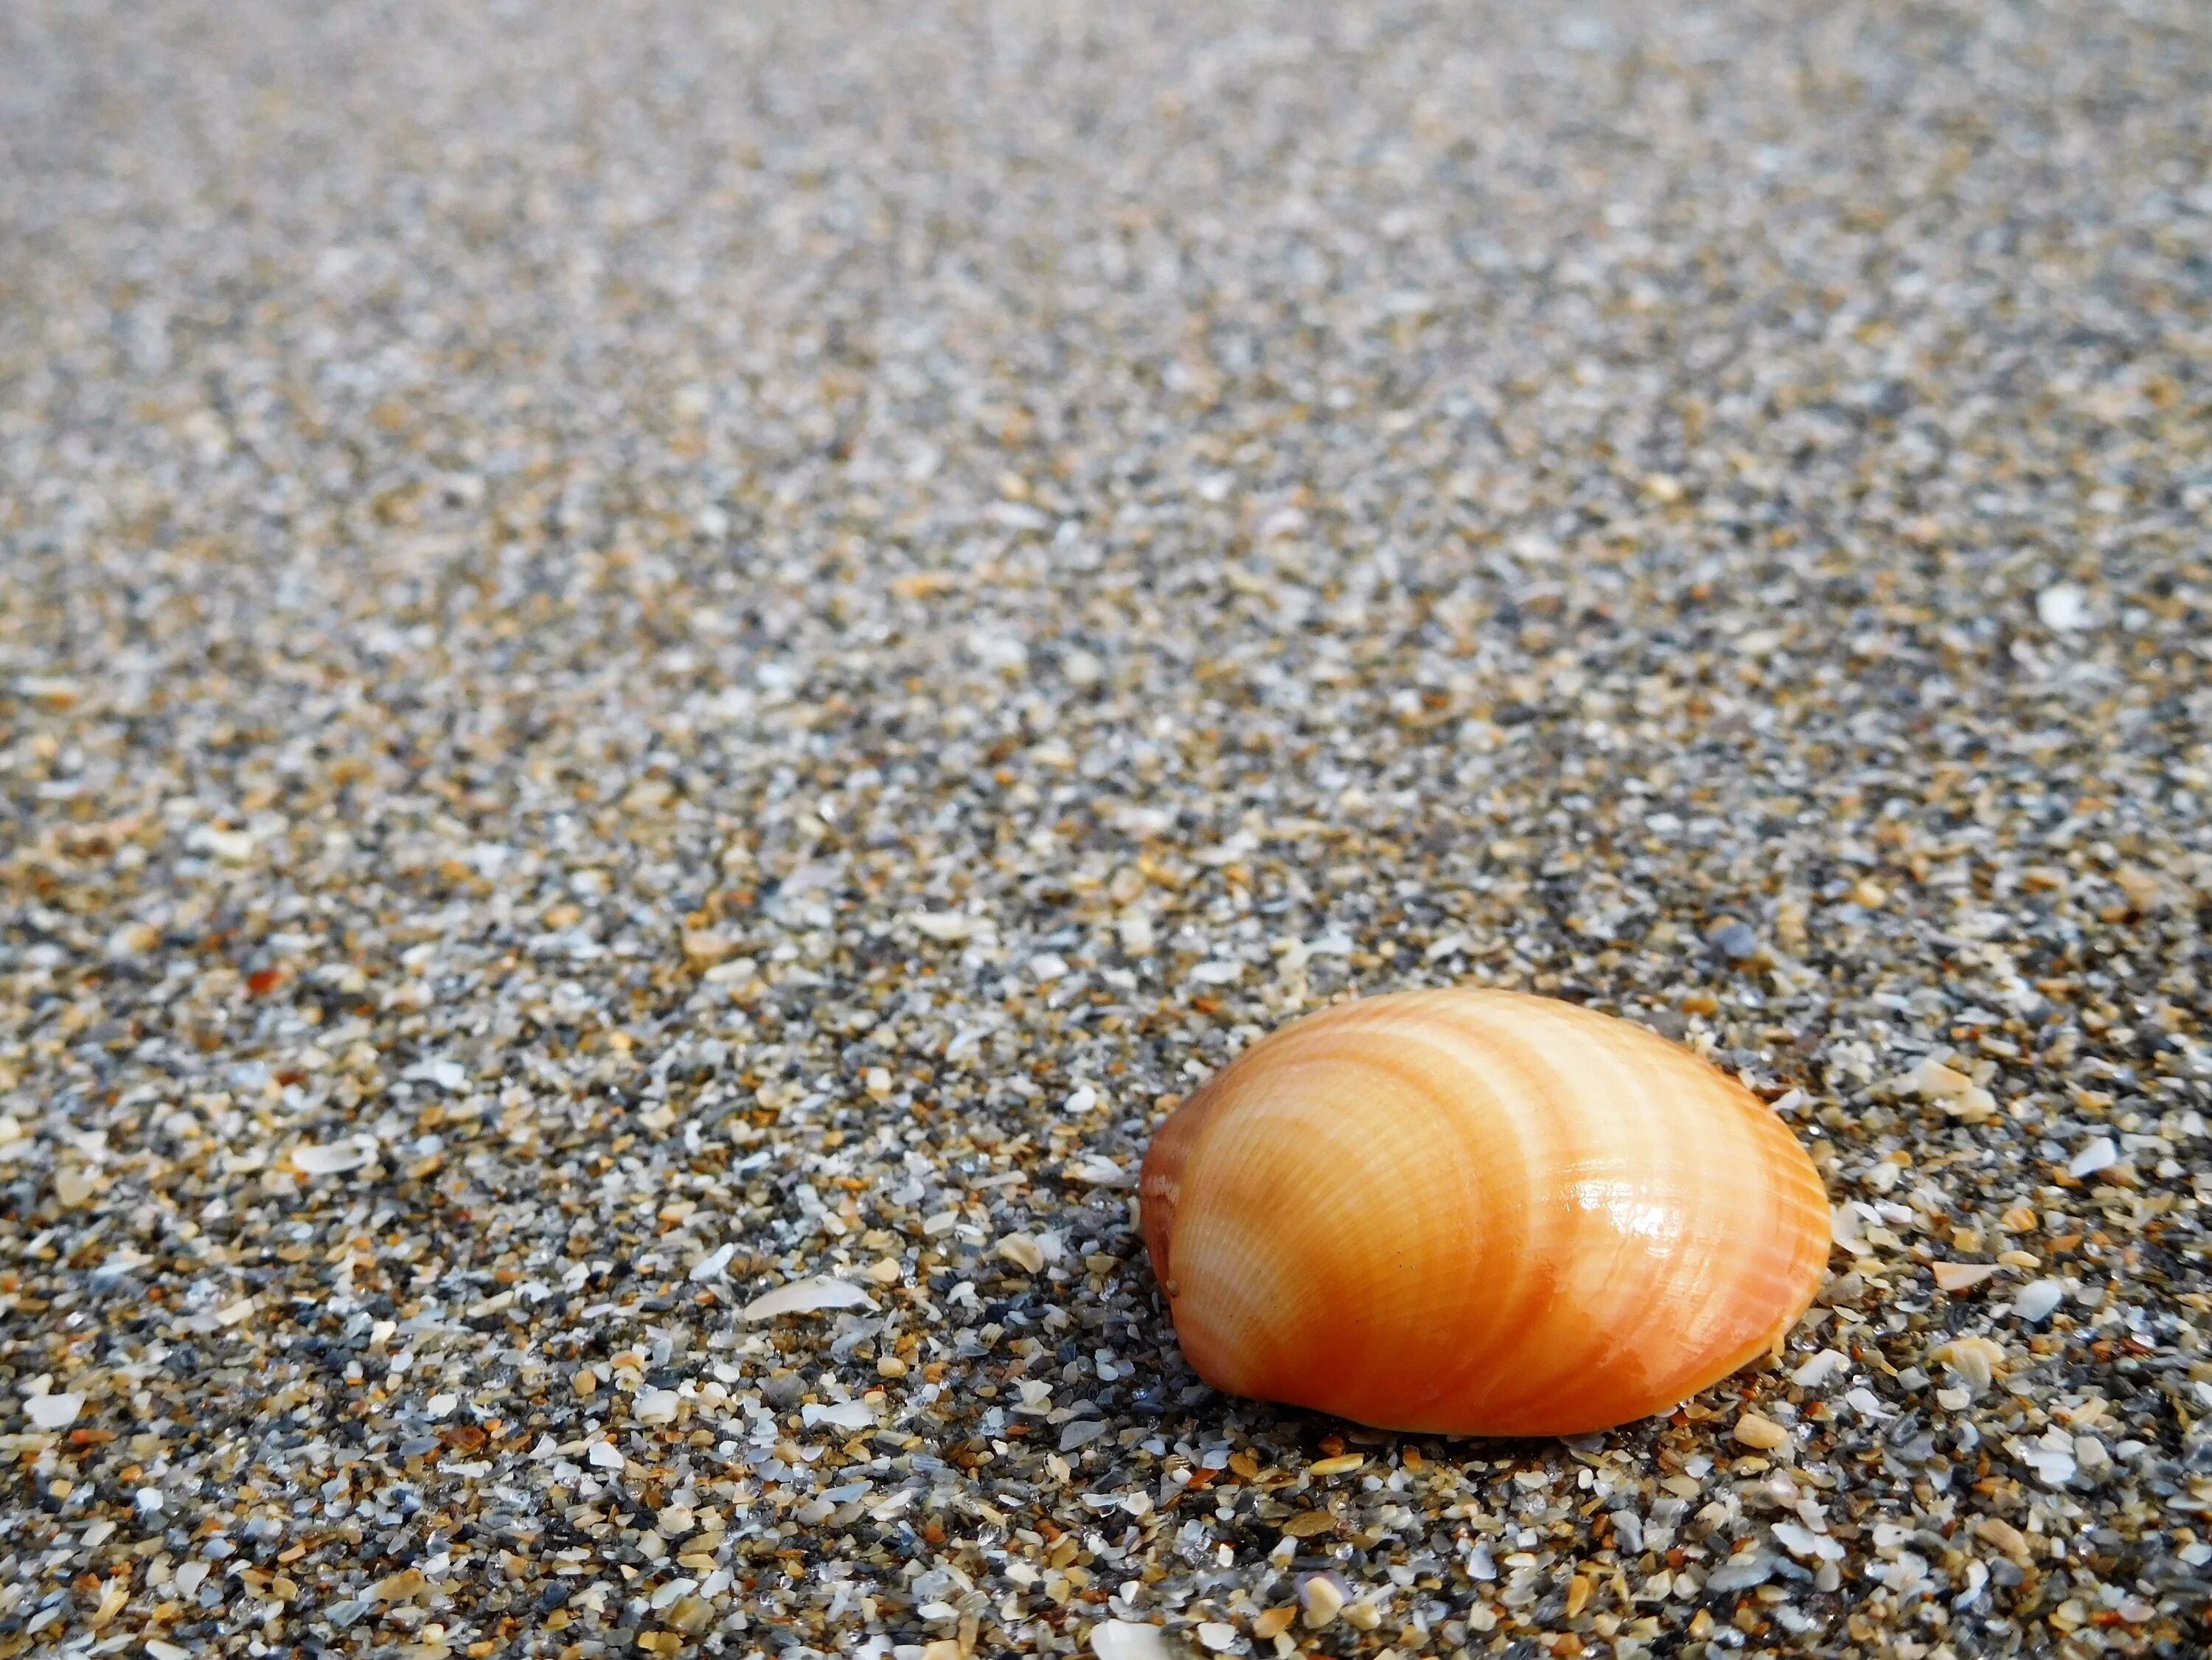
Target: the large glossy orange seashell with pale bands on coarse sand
pixel 1479 1214
